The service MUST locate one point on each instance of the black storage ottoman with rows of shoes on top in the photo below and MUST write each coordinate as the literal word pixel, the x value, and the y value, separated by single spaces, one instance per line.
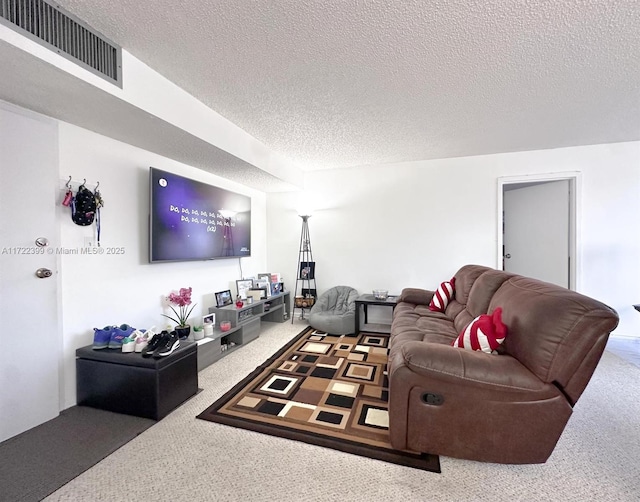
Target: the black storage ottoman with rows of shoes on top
pixel 131 384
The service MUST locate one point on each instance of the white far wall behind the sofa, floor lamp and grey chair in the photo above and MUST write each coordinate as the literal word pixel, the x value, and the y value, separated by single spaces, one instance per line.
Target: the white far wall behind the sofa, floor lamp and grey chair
pixel 414 224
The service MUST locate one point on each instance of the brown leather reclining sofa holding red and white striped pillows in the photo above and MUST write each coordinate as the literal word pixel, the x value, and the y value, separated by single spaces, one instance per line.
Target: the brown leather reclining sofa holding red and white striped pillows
pixel 509 407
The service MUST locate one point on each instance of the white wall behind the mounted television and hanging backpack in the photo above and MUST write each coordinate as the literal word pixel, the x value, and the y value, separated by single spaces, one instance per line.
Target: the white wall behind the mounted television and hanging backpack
pixel 100 290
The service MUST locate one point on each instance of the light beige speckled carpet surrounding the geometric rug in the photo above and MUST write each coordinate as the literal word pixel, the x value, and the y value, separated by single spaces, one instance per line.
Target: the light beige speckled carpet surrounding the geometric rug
pixel 182 458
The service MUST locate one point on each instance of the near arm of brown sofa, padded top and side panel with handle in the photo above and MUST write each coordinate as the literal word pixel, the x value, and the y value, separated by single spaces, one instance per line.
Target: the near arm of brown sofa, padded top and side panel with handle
pixel 459 403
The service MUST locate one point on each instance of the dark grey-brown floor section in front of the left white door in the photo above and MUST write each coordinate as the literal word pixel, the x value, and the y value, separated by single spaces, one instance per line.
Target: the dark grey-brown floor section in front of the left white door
pixel 41 460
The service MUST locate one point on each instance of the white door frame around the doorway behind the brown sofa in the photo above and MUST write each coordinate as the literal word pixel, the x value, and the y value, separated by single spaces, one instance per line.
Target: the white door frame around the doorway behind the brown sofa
pixel 575 198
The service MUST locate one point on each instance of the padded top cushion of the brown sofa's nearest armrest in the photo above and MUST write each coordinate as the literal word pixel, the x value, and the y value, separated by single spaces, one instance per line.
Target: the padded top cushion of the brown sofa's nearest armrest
pixel 440 362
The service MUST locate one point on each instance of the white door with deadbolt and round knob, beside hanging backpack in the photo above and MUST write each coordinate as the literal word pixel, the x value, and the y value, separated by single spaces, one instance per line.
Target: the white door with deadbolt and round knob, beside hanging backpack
pixel 30 344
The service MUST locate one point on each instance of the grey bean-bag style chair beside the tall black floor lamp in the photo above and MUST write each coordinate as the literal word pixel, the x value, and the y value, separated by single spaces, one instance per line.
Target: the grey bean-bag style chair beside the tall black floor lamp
pixel 335 311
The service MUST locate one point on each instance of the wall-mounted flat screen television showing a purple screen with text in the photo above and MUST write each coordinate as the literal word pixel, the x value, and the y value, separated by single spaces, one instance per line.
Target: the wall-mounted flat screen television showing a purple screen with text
pixel 191 220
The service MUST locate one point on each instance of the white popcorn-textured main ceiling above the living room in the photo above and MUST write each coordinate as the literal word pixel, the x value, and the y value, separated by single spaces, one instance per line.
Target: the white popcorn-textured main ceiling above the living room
pixel 338 83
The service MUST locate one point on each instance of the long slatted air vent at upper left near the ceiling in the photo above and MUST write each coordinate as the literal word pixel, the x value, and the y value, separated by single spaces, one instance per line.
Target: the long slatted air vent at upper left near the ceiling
pixel 65 34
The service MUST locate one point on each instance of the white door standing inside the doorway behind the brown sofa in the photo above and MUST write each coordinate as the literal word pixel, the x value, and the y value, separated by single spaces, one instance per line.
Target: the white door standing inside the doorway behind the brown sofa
pixel 536 231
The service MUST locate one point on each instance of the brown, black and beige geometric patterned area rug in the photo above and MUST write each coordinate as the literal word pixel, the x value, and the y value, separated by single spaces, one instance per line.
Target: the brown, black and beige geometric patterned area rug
pixel 322 389
